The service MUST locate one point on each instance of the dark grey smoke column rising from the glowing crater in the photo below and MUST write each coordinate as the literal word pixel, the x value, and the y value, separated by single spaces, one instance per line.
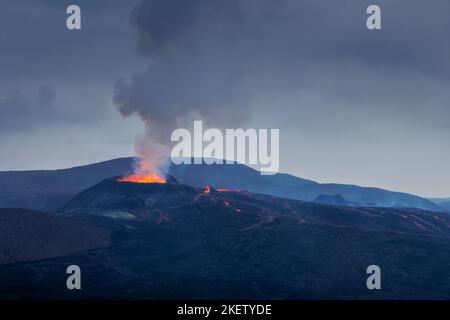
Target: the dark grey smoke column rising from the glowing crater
pixel 194 71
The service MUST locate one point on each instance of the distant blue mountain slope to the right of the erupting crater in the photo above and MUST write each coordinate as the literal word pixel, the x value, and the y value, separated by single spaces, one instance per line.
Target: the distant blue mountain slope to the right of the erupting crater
pixel 288 186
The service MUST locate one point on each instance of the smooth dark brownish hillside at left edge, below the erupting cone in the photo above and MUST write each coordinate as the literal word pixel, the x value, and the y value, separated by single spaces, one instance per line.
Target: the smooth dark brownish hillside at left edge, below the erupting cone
pixel 30 235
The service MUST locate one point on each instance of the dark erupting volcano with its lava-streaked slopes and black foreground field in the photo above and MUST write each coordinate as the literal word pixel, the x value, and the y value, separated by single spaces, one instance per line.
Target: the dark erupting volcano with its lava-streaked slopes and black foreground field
pixel 174 241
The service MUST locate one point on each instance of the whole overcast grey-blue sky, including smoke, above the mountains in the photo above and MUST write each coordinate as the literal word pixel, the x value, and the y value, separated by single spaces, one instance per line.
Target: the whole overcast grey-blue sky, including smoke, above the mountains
pixel 353 106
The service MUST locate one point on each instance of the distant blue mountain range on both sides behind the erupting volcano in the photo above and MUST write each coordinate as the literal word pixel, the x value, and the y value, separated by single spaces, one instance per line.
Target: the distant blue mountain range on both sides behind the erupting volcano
pixel 50 189
